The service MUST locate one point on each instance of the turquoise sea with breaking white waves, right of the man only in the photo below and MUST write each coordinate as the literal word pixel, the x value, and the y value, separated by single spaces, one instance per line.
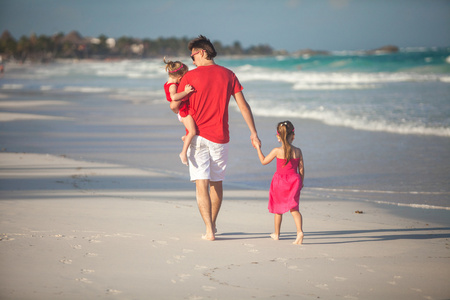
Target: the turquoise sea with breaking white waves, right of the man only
pixel 406 92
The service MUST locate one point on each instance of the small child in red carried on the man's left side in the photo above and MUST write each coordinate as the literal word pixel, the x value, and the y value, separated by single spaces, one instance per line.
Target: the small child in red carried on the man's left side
pixel 176 71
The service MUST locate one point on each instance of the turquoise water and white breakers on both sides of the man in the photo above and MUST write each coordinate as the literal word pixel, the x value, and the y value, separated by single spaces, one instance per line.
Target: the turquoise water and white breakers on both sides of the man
pixel 406 92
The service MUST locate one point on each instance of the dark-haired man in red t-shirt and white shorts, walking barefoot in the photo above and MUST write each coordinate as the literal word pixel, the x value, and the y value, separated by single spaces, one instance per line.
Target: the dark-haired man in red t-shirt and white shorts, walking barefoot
pixel 208 154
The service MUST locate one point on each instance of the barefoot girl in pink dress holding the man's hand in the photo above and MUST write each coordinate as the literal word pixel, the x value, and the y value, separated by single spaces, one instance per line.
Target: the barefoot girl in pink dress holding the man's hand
pixel 287 181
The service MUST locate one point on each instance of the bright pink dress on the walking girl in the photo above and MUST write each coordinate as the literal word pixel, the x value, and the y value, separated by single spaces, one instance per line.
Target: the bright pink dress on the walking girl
pixel 285 187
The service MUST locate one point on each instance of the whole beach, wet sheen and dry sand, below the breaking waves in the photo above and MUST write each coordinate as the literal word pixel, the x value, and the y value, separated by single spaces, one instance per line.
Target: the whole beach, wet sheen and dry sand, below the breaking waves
pixel 95 204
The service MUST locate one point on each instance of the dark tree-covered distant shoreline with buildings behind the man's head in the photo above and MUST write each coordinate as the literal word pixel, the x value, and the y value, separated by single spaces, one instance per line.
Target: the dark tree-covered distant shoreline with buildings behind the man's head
pixel 47 48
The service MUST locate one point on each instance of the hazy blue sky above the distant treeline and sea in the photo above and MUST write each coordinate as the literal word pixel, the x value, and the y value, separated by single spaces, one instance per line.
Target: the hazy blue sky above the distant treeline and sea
pixel 282 24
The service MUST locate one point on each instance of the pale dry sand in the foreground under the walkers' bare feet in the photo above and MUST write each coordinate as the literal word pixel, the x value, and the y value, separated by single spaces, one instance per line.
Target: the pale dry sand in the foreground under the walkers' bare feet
pixel 81 230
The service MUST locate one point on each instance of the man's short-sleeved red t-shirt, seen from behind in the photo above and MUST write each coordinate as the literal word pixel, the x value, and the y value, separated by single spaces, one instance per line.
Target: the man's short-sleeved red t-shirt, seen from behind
pixel 214 85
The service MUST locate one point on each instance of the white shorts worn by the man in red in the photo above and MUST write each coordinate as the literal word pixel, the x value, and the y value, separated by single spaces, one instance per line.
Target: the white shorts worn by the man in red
pixel 207 160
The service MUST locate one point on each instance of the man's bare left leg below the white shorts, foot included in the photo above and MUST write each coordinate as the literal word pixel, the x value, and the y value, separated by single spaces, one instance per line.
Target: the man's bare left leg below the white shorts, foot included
pixel 205 207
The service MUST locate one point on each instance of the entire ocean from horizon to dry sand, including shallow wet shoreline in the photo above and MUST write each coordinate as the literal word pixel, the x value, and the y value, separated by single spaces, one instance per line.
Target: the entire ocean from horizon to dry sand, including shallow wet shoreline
pixel 372 127
